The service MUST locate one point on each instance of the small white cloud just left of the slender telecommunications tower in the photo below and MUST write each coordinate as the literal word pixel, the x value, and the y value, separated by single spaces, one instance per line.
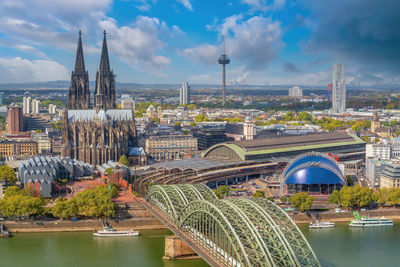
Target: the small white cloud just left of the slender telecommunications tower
pixel 205 53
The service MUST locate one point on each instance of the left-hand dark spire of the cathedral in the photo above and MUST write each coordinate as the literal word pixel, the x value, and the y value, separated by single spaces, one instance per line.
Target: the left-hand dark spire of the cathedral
pixel 79 94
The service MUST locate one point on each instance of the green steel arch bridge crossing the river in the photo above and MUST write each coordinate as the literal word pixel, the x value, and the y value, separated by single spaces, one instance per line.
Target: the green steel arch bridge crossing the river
pixel 231 232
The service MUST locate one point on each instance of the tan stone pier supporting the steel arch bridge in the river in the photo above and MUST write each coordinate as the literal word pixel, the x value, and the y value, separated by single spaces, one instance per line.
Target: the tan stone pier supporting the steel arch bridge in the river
pixel 175 248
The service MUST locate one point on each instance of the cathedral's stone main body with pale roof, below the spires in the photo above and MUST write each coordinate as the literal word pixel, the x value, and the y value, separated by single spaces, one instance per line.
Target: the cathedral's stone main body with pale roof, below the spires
pixel 96 137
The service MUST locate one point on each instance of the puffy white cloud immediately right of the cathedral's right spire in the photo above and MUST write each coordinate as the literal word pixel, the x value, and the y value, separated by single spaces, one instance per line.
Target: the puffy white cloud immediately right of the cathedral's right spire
pixel 137 44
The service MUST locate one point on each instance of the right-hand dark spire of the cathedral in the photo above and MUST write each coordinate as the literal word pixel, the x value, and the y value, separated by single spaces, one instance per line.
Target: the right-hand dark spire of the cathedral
pixel 105 83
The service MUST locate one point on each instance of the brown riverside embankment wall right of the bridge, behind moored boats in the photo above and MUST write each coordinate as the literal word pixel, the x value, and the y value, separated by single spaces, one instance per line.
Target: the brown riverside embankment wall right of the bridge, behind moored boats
pixel 347 216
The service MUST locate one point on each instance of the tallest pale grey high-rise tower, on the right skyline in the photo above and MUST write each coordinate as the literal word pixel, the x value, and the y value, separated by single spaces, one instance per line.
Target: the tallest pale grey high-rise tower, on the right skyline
pixel 338 89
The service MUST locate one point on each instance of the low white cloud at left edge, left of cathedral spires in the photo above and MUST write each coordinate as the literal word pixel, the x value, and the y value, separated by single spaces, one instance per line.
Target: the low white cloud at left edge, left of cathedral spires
pixel 18 70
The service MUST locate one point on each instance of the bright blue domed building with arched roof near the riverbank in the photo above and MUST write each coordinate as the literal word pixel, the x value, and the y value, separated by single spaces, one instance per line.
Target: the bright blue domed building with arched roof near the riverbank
pixel 314 173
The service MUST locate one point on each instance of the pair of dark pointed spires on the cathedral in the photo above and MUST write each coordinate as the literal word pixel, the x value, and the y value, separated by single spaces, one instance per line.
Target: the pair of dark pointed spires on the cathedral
pixel 79 93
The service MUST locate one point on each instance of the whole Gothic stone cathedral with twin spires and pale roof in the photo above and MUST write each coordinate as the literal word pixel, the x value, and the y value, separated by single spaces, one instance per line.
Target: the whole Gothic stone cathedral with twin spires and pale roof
pixel 96 133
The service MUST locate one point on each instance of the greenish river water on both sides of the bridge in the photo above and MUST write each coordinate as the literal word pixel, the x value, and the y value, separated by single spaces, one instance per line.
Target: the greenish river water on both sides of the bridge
pixel 341 246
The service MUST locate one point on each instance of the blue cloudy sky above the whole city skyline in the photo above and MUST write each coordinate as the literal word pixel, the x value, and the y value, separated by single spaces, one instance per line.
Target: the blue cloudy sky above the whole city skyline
pixel 270 42
